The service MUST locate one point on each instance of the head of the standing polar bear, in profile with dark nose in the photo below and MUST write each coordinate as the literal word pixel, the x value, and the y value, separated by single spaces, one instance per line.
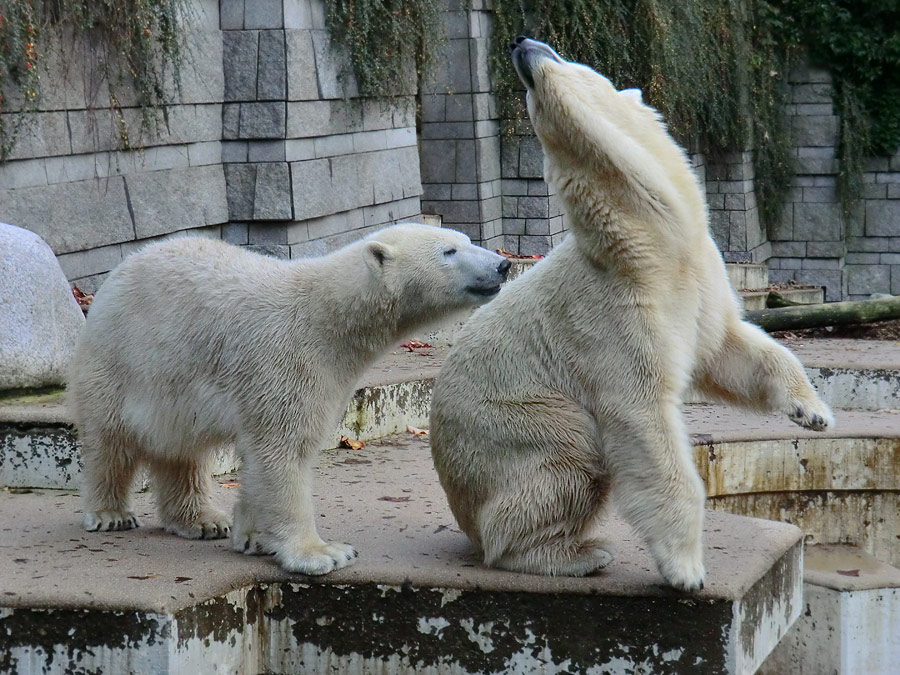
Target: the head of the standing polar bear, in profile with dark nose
pixel 433 269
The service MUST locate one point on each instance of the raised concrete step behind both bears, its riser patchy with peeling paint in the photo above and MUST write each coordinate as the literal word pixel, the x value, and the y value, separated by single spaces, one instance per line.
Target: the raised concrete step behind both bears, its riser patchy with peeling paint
pixel 38 447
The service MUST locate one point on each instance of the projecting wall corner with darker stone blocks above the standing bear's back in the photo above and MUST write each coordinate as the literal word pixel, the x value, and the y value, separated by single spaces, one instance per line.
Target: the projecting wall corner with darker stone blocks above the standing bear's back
pixel 310 164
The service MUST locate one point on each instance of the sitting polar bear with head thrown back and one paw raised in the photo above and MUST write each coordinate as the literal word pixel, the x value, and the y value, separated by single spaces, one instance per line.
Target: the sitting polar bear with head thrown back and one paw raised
pixel 571 385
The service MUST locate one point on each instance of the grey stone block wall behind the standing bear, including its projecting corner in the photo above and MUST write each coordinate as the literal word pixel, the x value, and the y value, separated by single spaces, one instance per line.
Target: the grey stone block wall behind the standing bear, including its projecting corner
pixel 262 147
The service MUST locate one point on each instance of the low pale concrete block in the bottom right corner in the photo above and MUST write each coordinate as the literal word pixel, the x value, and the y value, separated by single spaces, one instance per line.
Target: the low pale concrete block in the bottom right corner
pixel 849 625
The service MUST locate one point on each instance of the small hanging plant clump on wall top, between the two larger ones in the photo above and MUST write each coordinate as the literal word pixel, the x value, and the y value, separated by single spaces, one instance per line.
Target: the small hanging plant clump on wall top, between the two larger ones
pixel 388 41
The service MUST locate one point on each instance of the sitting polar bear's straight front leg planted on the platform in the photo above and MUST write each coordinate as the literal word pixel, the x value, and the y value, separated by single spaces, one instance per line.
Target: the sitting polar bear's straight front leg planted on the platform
pixel 656 486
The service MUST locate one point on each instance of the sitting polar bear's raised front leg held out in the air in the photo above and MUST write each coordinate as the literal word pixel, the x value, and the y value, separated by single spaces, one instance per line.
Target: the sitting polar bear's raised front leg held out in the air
pixel 752 370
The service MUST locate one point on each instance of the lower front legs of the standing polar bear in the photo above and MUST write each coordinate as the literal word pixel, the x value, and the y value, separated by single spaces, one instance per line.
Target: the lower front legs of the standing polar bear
pixel 275 515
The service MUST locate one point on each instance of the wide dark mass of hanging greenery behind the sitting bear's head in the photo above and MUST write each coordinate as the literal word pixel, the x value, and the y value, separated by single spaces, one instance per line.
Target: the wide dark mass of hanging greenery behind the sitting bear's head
pixel 717 69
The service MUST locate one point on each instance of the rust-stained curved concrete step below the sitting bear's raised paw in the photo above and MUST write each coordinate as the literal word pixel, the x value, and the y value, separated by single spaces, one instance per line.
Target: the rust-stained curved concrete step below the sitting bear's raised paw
pixel 842 486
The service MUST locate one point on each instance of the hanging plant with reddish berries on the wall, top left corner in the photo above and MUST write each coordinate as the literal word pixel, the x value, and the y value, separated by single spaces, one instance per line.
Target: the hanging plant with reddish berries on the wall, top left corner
pixel 136 45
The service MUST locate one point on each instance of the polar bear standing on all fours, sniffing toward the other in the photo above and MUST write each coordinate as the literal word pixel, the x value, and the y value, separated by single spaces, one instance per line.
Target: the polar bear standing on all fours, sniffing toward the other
pixel 192 343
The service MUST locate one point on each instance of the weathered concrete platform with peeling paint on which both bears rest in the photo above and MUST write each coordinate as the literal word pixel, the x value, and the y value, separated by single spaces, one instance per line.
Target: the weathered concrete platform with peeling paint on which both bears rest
pixel 417 601
